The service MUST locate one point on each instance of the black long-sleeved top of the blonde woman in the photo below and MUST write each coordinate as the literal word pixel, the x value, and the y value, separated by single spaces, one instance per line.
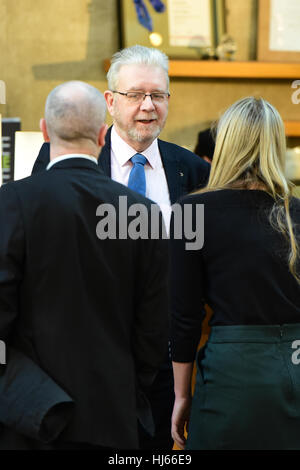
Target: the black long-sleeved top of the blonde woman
pixel 241 271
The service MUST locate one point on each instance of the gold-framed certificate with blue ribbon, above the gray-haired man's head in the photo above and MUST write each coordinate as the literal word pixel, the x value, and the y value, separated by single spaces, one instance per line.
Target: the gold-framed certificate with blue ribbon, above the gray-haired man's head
pixel 187 29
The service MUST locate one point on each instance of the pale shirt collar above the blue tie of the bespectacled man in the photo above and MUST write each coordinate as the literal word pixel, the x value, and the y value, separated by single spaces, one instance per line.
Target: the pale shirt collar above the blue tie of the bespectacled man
pixel 123 152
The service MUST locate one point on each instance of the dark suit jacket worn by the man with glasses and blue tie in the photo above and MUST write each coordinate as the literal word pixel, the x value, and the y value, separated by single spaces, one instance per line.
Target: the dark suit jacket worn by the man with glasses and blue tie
pixel 184 170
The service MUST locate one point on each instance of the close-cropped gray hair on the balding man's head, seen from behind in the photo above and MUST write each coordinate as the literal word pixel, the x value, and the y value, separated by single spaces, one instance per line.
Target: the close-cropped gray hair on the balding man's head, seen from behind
pixel 74 111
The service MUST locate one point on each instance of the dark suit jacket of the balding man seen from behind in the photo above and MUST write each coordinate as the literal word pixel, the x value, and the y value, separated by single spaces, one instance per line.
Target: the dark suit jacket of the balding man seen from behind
pixel 84 320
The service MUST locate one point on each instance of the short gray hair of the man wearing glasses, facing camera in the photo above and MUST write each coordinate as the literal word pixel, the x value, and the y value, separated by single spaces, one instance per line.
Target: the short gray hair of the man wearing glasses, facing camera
pixel 136 55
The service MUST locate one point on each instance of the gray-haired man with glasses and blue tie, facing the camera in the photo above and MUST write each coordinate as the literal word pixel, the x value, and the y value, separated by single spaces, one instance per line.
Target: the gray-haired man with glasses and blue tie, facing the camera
pixel 138 99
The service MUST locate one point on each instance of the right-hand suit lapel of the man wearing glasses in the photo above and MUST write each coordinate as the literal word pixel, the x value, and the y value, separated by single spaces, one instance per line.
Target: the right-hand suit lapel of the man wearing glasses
pixel 172 171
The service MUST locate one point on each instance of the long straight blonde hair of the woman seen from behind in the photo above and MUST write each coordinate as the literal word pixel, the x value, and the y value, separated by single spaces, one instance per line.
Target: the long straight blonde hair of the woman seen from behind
pixel 250 154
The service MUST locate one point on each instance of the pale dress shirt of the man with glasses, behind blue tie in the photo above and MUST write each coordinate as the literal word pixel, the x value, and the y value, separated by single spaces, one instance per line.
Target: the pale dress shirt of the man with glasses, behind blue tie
pixel 156 183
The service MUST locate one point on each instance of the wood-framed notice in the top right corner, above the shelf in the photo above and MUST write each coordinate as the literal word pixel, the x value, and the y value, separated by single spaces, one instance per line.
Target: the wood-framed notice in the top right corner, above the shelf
pixel 279 30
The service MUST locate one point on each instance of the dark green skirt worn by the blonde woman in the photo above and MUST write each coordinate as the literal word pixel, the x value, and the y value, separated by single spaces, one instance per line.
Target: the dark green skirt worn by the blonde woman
pixel 247 393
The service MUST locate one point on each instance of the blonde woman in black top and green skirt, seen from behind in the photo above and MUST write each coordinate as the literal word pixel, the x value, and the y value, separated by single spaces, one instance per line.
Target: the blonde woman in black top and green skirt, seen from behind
pixel 247 393
